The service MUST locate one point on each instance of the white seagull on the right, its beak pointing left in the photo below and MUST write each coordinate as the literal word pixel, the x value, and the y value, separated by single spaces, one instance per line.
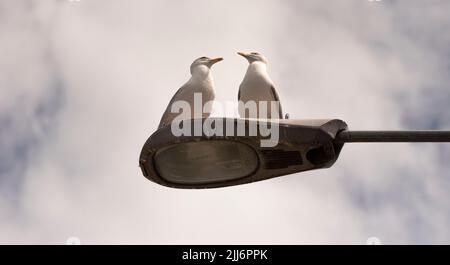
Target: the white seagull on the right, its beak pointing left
pixel 257 86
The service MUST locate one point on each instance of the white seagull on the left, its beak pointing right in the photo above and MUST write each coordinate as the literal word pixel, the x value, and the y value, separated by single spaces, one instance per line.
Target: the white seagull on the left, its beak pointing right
pixel 201 81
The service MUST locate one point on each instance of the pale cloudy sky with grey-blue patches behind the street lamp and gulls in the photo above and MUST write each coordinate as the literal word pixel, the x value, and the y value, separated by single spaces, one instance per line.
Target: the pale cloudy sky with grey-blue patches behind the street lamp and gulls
pixel 83 84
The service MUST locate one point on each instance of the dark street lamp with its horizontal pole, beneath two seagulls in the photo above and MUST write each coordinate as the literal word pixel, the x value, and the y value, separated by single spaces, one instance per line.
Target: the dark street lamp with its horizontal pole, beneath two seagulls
pixel 237 157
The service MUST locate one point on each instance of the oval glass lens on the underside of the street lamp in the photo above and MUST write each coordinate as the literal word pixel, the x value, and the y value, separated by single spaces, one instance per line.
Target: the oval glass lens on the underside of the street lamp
pixel 205 162
